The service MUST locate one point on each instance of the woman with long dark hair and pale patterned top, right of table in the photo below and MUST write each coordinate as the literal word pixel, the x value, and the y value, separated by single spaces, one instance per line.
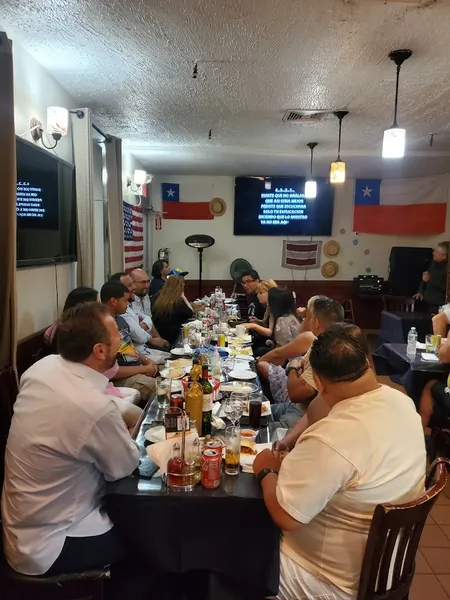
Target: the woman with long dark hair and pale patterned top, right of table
pixel 283 325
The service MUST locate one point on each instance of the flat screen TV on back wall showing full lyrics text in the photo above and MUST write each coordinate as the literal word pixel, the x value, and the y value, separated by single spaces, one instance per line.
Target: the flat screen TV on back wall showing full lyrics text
pixel 277 206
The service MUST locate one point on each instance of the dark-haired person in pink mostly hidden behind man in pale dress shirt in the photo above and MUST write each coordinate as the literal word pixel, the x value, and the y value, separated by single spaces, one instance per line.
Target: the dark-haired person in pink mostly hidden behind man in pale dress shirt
pixel 125 397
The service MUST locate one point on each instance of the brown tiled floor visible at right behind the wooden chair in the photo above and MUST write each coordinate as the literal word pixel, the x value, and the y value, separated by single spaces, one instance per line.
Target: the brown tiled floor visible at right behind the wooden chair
pixel 432 578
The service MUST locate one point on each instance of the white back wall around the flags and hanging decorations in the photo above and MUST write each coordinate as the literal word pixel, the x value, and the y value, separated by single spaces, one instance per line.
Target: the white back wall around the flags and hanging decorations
pixel 264 253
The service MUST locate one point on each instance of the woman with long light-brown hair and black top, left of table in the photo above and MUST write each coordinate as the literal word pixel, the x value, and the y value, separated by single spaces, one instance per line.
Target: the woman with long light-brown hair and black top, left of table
pixel 170 309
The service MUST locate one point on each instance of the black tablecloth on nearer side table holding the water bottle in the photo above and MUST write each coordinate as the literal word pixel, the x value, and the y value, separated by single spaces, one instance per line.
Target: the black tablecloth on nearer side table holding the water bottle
pixel 391 360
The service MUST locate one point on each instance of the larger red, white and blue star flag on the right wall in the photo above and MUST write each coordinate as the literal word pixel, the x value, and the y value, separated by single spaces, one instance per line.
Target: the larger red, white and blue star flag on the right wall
pixel 415 206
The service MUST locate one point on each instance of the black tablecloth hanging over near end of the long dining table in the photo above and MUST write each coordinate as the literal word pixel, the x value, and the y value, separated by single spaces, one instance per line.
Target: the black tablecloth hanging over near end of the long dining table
pixel 223 540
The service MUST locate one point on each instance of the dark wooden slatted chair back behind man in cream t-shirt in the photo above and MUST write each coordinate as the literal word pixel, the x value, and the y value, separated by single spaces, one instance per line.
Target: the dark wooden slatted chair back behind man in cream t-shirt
pixel 389 559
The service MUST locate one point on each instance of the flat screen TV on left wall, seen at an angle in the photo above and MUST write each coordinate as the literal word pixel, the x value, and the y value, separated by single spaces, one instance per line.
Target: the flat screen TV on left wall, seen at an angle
pixel 46 207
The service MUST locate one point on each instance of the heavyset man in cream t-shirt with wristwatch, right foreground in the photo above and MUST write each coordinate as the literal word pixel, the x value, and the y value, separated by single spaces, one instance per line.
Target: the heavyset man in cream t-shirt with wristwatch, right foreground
pixel 368 450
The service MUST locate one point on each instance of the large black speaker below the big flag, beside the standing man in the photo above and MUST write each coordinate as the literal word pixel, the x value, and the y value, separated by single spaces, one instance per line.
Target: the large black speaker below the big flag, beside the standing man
pixel 406 266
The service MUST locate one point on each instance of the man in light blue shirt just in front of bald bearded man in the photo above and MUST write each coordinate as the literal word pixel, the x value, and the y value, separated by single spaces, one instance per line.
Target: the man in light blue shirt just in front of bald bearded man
pixel 142 329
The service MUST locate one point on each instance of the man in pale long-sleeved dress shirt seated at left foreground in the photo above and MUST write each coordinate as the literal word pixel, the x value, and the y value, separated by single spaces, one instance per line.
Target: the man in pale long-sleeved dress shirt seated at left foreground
pixel 66 438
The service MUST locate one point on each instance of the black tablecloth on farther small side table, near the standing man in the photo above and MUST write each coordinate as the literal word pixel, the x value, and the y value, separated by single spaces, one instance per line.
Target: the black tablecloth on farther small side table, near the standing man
pixel 396 325
